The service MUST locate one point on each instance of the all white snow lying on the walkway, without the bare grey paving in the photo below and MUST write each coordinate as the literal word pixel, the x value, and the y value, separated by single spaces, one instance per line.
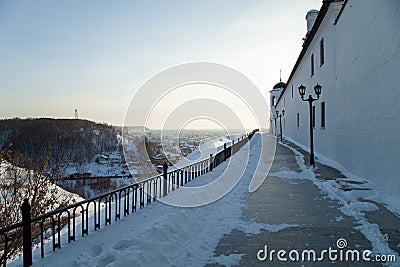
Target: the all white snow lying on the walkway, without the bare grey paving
pixel 165 235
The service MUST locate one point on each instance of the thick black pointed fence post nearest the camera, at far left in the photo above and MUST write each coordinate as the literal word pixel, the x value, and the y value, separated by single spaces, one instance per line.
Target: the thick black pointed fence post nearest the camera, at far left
pixel 26 233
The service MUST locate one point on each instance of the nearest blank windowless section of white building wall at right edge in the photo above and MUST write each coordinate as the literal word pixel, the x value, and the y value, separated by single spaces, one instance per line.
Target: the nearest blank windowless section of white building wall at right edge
pixel 368 86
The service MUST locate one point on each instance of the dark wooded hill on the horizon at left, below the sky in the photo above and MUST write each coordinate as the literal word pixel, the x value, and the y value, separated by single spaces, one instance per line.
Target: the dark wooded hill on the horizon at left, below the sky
pixel 62 140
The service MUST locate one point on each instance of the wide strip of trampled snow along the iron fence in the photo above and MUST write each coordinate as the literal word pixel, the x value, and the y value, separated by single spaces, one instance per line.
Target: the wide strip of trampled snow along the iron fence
pixel 162 235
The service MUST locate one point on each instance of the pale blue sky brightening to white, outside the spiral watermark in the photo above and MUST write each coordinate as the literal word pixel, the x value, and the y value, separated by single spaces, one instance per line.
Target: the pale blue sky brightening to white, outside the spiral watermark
pixel 58 56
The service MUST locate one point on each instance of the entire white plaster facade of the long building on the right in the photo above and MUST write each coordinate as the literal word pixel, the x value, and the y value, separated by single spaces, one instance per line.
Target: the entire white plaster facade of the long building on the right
pixel 360 78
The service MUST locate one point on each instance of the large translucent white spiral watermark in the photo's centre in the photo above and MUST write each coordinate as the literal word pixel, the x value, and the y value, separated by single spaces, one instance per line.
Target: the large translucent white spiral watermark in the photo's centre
pixel 191 93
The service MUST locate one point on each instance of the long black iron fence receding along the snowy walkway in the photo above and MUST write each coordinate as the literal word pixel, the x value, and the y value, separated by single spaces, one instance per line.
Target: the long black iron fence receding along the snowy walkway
pixel 102 210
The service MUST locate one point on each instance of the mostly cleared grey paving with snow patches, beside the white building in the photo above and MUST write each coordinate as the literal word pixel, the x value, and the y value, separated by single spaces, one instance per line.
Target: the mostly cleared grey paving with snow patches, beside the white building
pixel 299 209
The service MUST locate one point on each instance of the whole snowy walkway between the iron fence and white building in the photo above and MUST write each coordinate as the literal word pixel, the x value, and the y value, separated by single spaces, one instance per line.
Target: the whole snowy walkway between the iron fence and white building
pixel 295 208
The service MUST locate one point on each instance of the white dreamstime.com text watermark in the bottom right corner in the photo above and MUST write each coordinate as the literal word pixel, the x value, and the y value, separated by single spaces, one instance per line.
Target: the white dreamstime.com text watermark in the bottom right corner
pixel 338 254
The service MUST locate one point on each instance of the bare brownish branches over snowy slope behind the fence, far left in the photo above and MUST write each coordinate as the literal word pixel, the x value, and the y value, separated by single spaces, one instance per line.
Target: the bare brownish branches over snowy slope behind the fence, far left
pixel 35 183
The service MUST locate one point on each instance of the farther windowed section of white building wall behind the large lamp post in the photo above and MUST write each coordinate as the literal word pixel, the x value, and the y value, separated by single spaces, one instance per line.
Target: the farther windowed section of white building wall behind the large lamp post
pixel 323 75
